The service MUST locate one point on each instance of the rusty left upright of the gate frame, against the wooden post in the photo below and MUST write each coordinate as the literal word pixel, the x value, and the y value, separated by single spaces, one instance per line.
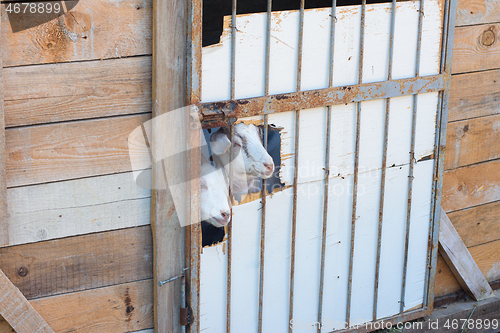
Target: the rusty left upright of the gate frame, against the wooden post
pixel 193 232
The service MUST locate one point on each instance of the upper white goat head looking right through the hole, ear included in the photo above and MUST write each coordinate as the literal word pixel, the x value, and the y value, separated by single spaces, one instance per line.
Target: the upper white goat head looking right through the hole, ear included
pixel 254 161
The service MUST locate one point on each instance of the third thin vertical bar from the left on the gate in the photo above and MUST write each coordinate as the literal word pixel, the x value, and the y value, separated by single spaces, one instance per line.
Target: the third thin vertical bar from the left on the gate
pixel 296 165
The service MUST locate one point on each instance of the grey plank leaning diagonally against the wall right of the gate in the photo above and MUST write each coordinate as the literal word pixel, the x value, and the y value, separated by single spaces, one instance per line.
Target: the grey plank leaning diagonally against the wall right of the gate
pixel 460 261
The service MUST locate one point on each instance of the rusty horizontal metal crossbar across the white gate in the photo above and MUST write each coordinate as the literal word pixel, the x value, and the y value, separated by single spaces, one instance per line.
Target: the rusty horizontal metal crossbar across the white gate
pixel 329 96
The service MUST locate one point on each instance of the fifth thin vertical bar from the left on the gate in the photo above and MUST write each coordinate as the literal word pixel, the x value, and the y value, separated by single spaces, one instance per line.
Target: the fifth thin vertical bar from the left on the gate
pixel 356 165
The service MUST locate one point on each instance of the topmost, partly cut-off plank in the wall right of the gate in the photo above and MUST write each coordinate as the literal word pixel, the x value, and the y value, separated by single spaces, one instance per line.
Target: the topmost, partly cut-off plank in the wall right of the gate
pixel 470 12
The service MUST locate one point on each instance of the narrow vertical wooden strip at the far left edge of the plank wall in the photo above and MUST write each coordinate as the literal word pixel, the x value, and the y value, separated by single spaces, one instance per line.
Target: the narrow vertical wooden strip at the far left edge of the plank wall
pixel 4 226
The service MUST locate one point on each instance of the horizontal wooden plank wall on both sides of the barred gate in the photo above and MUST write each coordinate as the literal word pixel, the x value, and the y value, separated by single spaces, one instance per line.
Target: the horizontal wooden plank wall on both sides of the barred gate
pixel 75 87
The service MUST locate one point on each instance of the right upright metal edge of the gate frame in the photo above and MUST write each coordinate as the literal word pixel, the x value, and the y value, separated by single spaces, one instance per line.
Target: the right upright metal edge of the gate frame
pixel 442 122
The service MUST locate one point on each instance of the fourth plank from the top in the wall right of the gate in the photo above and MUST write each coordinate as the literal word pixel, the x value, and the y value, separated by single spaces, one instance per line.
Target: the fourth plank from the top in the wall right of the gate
pixel 465 141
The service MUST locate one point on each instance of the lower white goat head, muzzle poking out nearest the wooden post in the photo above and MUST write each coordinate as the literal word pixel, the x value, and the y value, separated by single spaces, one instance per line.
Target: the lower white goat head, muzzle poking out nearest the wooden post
pixel 215 203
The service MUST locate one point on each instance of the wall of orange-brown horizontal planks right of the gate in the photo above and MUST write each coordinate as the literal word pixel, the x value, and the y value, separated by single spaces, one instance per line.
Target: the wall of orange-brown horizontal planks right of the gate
pixel 471 193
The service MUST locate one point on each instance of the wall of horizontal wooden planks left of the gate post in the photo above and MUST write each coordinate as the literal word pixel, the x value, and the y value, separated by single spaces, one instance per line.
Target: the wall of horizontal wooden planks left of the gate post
pixel 81 245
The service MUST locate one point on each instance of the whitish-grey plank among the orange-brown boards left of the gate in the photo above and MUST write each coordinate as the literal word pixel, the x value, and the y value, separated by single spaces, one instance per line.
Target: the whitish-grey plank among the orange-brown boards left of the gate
pixel 75 207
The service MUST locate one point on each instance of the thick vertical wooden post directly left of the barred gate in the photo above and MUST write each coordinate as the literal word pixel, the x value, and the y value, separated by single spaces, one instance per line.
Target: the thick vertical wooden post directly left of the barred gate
pixel 169 93
